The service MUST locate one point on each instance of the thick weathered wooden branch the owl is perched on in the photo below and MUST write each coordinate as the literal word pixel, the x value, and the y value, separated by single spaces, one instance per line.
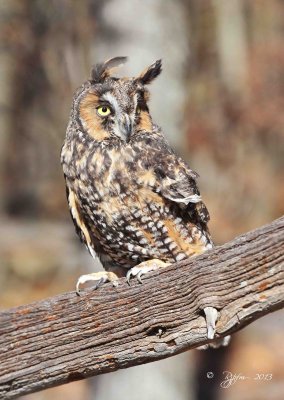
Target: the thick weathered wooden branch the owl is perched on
pixel 67 337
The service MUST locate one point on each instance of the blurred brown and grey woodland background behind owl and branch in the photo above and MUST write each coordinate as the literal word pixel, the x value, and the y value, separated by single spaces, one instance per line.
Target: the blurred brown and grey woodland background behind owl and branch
pixel 220 101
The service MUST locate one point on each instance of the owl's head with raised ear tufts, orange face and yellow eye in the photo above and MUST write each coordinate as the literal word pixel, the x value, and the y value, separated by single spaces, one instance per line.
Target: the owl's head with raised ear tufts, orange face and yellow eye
pixel 111 107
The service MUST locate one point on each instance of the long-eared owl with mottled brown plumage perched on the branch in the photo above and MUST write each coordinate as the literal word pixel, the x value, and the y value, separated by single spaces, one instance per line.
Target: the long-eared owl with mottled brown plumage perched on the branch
pixel 134 202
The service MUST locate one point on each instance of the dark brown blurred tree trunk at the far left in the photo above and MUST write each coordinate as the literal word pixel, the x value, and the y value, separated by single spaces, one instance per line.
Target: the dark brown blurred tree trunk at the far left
pixel 29 91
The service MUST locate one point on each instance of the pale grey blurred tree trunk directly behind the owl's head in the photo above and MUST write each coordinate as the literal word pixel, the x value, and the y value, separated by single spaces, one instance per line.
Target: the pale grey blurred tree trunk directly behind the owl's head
pixel 146 31
